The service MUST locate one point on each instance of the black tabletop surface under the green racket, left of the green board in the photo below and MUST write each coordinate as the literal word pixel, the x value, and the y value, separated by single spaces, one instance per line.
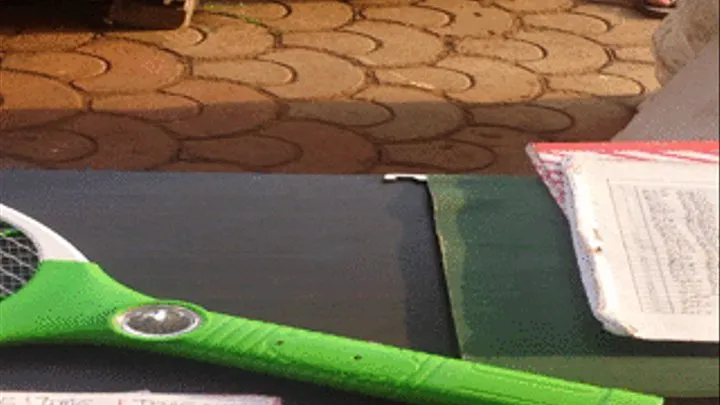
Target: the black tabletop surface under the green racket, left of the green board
pixel 349 255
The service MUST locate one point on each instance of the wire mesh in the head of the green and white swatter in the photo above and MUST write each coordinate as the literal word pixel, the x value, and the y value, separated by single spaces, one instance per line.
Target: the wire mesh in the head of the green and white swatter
pixel 18 260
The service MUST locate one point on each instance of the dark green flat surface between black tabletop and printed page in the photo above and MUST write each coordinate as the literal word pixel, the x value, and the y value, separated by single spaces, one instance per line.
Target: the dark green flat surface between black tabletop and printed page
pixel 518 301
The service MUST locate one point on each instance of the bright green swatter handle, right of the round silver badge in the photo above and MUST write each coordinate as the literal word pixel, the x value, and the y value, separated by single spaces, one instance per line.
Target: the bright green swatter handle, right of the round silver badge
pixel 379 370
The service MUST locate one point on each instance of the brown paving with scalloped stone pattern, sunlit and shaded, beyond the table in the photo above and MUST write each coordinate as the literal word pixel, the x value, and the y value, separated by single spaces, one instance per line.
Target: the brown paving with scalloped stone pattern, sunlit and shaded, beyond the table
pixel 363 86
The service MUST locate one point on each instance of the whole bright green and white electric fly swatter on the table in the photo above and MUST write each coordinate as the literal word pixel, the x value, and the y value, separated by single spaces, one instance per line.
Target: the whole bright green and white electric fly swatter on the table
pixel 49 292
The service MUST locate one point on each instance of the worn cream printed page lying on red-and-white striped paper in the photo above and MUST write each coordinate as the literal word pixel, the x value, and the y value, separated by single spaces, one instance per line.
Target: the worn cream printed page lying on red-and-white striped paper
pixel 648 232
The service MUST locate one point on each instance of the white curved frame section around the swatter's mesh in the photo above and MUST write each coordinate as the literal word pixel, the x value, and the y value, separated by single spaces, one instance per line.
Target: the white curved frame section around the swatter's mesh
pixel 50 245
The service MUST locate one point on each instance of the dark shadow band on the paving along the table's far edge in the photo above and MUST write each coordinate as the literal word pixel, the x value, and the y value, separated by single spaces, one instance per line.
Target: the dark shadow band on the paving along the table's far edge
pixel 297 137
